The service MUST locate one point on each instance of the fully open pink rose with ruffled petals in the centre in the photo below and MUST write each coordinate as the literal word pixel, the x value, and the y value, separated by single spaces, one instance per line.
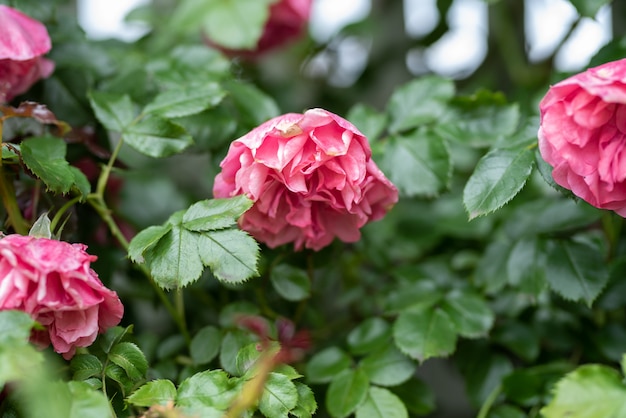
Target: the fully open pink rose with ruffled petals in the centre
pixel 311 178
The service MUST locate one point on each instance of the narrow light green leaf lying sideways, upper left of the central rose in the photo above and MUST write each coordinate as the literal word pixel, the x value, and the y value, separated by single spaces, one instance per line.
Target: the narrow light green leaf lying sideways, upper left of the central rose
pixel 186 101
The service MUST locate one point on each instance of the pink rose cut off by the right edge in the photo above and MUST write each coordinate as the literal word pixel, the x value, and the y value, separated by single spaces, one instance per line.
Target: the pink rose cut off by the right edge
pixel 583 135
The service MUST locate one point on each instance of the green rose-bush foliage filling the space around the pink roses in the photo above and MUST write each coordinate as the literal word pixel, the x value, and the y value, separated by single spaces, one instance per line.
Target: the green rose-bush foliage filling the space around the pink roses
pixel 484 267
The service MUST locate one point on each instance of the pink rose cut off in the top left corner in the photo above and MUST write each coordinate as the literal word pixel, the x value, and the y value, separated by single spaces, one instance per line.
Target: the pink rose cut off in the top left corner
pixel 23 41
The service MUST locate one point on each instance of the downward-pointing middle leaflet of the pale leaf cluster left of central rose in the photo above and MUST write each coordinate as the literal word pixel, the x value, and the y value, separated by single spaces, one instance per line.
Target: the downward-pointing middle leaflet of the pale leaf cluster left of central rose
pixel 174 261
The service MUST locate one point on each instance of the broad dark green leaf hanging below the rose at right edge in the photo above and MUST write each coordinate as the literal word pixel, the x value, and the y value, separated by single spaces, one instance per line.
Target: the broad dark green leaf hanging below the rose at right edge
pixel 576 271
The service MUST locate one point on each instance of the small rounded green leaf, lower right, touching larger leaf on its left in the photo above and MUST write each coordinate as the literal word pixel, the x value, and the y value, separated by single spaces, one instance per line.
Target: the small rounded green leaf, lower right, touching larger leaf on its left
pixel 469 313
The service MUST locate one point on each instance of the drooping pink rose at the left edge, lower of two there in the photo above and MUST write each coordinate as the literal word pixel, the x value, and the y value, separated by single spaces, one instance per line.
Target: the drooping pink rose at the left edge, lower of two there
pixel 52 281
